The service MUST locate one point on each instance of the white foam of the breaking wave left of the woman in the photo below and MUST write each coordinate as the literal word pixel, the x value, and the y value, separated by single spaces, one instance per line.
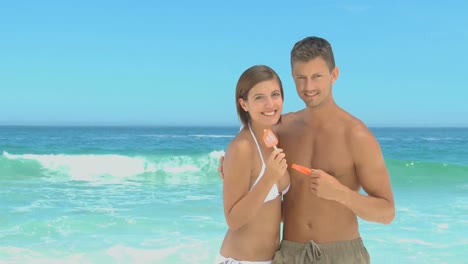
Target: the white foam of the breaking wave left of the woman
pixel 110 168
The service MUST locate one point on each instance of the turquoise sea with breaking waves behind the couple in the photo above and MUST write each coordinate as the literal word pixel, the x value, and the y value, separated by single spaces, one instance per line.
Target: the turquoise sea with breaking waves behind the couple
pixel 153 195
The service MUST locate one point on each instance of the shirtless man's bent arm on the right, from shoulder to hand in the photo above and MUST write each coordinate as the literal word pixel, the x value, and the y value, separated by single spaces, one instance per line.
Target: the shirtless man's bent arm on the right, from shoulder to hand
pixel 378 205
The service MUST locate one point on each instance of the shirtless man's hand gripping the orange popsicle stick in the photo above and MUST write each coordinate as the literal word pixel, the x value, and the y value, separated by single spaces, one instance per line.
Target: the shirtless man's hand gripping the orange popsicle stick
pixel 326 186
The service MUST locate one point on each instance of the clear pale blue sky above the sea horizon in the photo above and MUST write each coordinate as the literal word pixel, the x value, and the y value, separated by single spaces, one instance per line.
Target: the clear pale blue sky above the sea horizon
pixel 402 63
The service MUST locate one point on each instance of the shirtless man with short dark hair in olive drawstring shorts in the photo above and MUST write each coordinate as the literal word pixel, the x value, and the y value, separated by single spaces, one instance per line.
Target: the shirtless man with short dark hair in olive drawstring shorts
pixel 320 210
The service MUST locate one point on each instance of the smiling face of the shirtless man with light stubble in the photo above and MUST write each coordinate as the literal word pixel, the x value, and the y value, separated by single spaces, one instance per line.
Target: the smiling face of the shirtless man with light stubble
pixel 314 81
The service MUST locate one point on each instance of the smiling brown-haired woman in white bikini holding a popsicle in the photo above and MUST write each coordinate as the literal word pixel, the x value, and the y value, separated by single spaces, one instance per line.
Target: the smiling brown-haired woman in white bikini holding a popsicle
pixel 255 176
